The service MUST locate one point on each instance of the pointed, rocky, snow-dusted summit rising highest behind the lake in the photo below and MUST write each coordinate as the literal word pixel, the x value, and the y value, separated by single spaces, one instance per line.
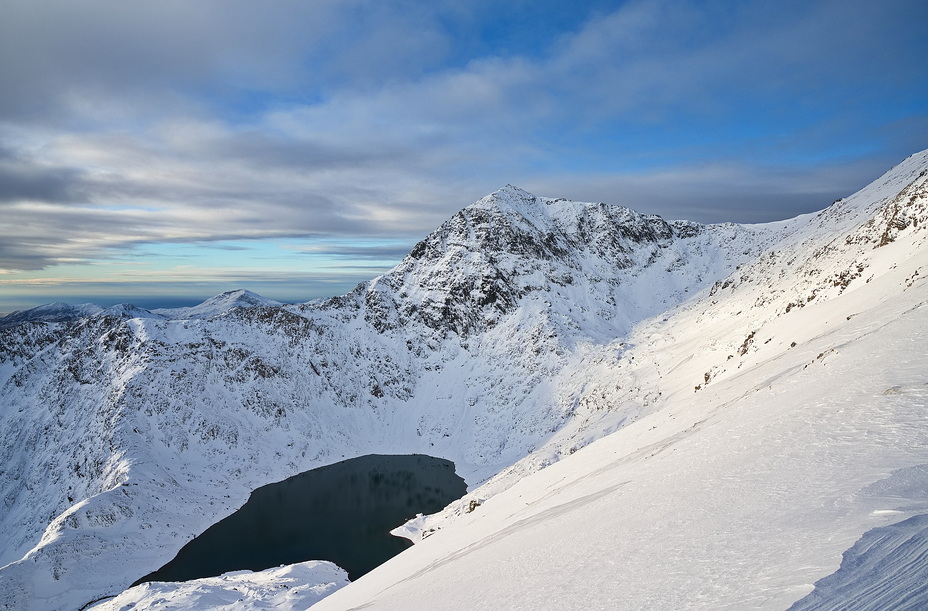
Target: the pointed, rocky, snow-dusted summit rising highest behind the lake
pixel 613 266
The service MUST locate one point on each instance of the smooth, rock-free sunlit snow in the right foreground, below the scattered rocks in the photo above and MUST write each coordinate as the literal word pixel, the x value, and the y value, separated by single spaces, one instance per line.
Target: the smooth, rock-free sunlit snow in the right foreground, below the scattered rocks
pixel 738 498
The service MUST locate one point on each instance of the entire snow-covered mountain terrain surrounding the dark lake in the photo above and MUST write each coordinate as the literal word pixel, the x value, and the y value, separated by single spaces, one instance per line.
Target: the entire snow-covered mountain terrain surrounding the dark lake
pixel 650 415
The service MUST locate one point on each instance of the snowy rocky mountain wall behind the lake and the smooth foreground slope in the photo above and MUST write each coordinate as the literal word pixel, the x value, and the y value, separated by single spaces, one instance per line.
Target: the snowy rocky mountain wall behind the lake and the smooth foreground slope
pixel 501 342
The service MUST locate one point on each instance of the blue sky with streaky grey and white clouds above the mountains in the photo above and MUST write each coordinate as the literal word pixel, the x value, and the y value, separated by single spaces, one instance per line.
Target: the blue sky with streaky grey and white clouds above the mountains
pixel 162 152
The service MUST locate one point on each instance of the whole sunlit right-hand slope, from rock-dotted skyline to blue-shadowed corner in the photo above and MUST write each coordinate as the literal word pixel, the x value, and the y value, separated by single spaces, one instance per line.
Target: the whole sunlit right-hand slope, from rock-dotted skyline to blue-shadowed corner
pixel 793 419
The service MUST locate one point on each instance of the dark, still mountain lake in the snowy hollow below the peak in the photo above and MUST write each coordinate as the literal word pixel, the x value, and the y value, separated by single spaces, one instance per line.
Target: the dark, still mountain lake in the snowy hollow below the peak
pixel 342 513
